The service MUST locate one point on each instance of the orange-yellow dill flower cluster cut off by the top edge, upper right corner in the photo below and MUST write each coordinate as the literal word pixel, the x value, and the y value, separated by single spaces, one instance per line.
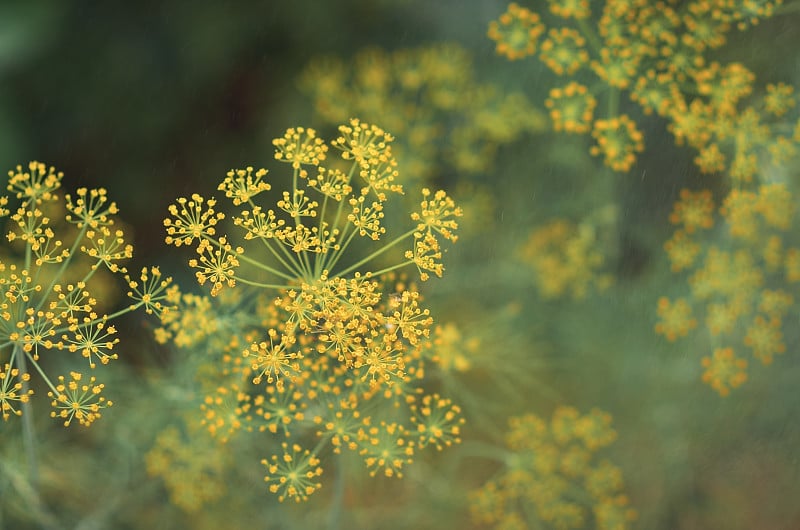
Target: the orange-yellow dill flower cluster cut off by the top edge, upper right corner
pixel 657 52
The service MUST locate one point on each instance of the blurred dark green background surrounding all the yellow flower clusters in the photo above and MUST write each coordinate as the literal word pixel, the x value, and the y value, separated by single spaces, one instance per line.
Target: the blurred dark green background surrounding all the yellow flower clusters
pixel 155 100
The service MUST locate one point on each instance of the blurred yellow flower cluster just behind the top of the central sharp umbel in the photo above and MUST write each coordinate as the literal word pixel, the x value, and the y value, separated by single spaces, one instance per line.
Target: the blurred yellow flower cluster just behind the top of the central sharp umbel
pixel 430 99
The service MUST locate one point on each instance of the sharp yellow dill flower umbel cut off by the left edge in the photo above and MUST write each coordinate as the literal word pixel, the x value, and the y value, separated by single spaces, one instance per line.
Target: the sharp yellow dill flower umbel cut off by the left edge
pixel 61 252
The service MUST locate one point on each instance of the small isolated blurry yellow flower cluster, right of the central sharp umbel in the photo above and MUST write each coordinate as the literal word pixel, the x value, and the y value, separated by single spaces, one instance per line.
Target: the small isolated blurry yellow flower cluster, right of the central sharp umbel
pixel 565 258
